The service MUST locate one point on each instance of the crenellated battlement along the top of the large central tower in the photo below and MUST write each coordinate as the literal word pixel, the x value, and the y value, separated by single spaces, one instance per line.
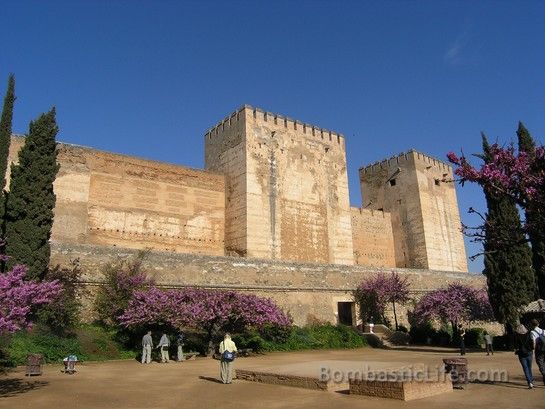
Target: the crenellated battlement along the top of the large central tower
pixel 277 120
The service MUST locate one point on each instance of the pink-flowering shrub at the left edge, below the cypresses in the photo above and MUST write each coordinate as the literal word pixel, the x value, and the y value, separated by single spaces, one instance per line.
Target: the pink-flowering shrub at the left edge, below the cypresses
pixel 18 297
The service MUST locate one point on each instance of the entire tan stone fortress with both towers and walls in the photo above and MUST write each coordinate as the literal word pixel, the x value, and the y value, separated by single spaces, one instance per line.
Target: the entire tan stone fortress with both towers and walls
pixel 274 200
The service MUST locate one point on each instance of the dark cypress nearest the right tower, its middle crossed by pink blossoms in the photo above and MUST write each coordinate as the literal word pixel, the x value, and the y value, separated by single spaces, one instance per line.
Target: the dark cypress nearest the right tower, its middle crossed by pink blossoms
pixel 508 259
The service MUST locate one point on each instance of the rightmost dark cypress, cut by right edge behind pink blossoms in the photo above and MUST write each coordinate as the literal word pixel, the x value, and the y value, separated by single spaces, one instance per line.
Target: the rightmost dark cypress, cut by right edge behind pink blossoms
pixel 535 214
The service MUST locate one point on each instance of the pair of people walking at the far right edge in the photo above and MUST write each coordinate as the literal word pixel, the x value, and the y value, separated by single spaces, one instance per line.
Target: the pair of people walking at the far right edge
pixel 528 344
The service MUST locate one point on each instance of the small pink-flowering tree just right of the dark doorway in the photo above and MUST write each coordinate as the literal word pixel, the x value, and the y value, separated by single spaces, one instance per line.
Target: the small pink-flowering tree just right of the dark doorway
pixel 375 293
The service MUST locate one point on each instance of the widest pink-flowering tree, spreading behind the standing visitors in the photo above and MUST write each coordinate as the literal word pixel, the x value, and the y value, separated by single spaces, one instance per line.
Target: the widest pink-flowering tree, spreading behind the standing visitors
pixel 212 311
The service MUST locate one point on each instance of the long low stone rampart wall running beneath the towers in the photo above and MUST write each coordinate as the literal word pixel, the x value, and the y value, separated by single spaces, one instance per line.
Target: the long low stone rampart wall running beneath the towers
pixel 309 291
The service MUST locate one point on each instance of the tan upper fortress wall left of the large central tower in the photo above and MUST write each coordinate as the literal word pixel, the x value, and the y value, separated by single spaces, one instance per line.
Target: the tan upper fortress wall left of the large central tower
pixel 121 201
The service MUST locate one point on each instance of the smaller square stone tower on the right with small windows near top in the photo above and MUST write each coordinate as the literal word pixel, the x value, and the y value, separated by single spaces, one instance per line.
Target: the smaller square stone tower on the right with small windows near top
pixel 424 210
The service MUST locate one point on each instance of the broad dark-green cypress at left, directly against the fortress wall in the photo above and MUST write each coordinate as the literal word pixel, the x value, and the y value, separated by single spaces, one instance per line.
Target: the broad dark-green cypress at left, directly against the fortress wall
pixel 29 210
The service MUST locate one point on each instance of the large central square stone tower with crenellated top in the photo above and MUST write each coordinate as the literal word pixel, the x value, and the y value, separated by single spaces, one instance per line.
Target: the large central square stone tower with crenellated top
pixel 286 187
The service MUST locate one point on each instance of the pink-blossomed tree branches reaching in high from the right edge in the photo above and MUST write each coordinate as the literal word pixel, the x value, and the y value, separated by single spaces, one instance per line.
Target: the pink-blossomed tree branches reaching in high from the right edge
pixel 520 176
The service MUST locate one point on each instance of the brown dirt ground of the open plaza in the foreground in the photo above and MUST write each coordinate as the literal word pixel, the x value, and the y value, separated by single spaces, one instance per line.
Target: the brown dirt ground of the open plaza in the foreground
pixel 194 384
